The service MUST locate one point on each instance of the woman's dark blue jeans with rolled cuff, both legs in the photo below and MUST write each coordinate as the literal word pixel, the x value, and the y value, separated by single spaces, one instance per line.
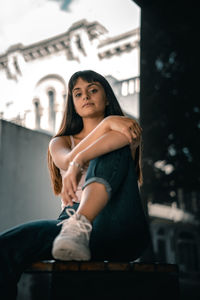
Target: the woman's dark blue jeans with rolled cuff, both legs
pixel 120 231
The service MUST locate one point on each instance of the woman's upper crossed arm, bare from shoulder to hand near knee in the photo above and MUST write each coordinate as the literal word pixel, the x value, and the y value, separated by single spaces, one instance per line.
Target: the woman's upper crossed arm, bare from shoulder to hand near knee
pixel 60 149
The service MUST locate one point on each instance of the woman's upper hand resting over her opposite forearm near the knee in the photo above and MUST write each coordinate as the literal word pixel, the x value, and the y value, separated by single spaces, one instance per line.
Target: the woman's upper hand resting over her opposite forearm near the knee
pixel 127 126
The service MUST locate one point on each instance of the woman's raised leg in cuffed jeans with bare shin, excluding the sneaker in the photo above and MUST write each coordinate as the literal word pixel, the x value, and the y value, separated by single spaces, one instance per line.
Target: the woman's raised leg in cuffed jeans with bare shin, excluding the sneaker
pixel 111 196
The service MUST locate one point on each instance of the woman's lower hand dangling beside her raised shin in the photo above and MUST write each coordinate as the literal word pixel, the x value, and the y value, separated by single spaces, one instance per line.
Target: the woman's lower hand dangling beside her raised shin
pixel 70 182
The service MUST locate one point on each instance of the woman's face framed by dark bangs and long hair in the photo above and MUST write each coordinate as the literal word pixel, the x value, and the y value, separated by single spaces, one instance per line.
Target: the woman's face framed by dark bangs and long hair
pixel 89 99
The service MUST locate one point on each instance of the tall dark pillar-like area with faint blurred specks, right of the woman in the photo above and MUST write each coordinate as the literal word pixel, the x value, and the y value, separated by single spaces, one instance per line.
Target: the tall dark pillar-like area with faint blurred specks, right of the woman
pixel 169 105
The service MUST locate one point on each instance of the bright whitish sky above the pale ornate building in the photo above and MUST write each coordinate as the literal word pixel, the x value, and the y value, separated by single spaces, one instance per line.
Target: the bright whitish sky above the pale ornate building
pixel 29 21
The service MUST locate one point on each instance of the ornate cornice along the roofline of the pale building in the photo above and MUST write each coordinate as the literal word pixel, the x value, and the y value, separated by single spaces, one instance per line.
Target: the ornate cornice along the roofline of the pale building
pixel 106 48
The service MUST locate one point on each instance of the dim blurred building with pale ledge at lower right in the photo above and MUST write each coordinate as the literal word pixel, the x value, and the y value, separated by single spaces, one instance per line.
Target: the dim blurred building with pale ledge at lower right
pixel 175 235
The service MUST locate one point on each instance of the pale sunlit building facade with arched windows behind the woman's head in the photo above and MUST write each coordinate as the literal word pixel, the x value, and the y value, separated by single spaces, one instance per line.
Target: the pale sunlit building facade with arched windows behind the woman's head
pixel 34 78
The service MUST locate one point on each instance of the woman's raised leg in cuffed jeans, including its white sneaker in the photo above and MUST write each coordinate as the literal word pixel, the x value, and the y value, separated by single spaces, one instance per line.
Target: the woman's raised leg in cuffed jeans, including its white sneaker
pixel 110 201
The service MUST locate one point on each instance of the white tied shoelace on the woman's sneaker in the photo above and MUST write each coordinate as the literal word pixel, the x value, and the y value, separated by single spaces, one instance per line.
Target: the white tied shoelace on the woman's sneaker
pixel 81 225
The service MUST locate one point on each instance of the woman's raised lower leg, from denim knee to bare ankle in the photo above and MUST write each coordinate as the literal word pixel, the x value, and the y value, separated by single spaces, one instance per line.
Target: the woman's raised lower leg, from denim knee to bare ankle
pixel 104 175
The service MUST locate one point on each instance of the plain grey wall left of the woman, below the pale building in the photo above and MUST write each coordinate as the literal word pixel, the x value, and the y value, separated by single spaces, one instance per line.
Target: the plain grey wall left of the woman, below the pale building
pixel 25 189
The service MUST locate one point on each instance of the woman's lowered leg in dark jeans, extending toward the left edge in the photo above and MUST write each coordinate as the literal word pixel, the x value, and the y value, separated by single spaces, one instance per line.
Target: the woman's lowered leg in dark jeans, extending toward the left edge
pixel 22 245
